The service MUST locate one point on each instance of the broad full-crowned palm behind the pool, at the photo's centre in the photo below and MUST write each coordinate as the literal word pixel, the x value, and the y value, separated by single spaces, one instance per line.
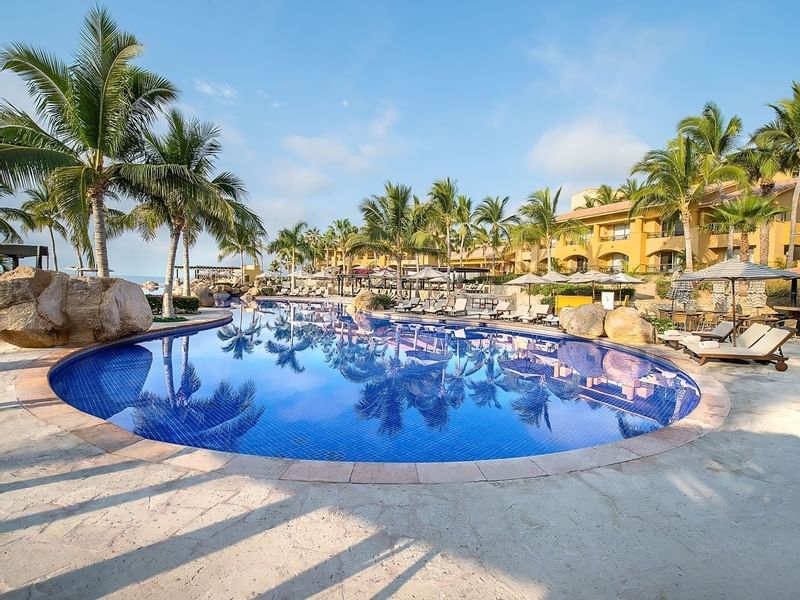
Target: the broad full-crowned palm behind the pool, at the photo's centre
pixel 391 226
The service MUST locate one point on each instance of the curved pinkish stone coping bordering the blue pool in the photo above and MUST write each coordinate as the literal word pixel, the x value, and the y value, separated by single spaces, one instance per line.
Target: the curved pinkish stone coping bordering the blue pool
pixel 33 392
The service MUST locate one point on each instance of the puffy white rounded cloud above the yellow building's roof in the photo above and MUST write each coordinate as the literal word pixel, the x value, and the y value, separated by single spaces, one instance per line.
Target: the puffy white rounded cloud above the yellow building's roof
pixel 588 149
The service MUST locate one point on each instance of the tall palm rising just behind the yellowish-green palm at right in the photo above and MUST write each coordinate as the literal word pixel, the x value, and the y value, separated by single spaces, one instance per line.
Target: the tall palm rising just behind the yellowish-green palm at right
pixel 714 139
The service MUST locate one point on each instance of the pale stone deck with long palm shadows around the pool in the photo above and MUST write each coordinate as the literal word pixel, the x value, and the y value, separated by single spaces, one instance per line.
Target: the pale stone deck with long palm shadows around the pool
pixel 715 518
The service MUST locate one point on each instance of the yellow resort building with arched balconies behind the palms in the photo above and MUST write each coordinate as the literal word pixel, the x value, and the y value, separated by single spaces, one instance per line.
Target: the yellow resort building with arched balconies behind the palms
pixel 643 244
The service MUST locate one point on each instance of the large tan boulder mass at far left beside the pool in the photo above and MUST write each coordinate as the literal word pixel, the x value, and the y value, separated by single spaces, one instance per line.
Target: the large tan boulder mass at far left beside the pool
pixel 42 308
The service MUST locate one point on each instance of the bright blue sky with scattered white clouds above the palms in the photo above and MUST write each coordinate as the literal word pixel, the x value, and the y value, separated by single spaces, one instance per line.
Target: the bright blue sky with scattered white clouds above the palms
pixel 321 102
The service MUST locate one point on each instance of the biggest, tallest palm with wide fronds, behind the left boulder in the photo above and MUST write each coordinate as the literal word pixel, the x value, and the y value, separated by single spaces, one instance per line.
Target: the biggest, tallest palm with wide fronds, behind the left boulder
pixel 93 113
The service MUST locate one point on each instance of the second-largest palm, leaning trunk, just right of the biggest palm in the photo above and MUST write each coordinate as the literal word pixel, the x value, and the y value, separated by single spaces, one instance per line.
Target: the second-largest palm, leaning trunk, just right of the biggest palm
pixel 193 147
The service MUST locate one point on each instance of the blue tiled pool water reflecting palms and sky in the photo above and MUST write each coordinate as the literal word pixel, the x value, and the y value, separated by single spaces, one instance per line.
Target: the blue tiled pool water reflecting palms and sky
pixel 304 380
